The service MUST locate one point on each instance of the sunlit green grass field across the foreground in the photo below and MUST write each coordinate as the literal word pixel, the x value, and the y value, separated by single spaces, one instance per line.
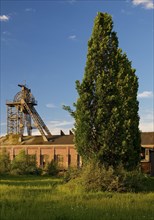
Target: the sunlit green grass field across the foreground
pixel 43 198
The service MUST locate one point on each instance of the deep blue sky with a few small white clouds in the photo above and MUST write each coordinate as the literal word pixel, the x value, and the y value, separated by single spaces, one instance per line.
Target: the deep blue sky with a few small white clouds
pixel 44 43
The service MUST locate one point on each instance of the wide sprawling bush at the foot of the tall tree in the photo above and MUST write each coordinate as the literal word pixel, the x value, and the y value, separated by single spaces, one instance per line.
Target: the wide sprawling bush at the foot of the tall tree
pixel 95 177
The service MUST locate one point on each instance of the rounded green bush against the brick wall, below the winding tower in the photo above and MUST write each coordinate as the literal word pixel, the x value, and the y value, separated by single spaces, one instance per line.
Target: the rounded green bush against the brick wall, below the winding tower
pixel 24 164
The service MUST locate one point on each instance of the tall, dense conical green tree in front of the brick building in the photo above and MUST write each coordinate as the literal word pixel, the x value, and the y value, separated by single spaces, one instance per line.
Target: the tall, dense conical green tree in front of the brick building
pixel 106 112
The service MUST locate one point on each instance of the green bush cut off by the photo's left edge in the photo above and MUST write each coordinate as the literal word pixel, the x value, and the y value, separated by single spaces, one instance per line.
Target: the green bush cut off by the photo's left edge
pixel 5 162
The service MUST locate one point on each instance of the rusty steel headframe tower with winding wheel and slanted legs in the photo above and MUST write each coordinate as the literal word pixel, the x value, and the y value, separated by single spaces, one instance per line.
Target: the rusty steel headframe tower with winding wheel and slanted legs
pixel 21 112
